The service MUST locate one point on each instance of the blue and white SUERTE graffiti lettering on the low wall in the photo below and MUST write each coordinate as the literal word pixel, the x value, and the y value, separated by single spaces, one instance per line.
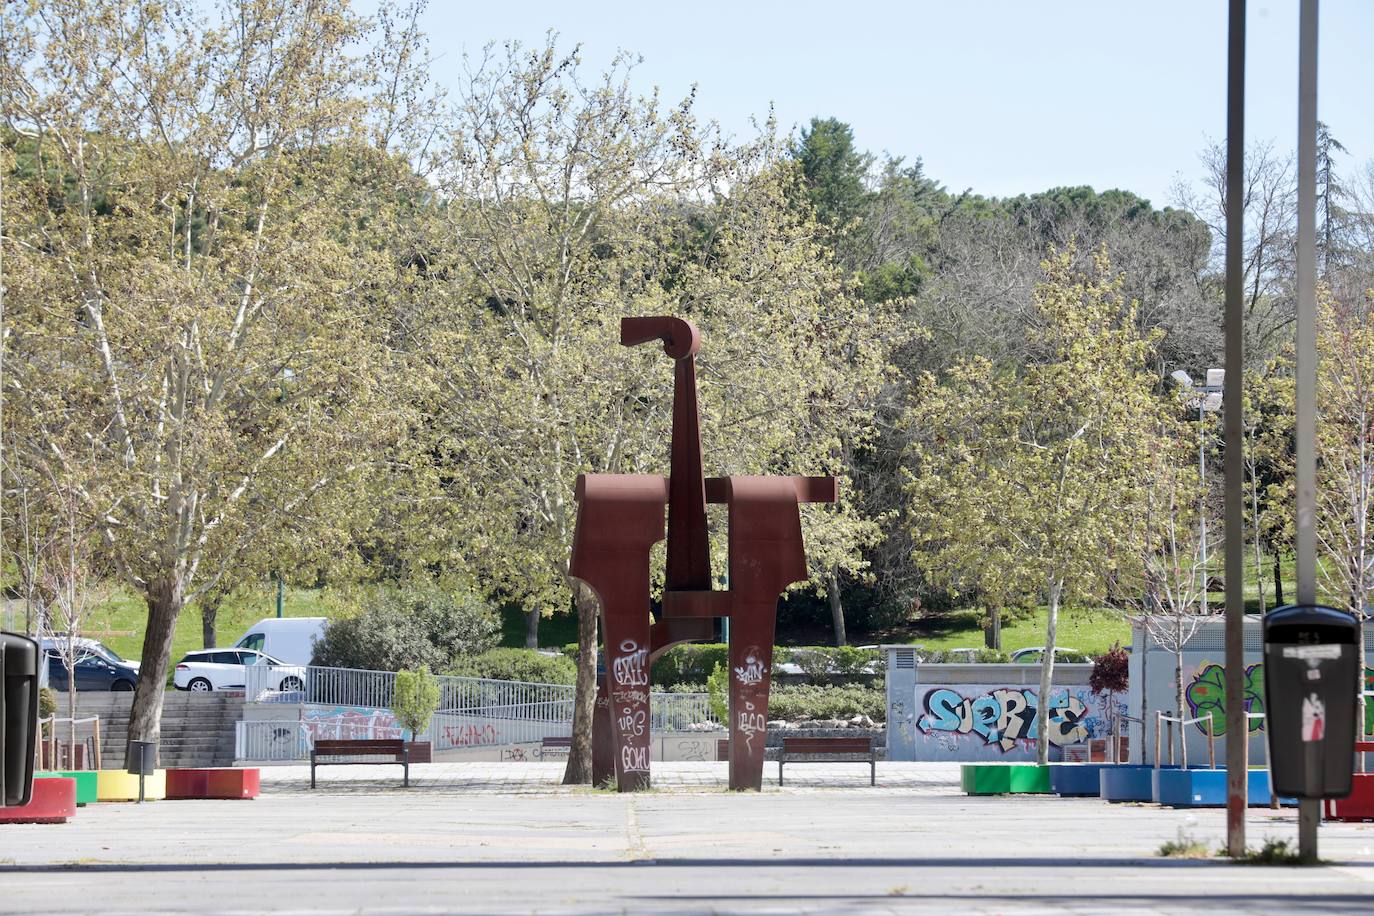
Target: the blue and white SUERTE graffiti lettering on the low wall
pixel 1005 716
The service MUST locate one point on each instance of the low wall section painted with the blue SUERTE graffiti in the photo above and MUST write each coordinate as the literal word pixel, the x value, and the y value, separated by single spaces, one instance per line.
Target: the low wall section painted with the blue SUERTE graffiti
pixel 998 723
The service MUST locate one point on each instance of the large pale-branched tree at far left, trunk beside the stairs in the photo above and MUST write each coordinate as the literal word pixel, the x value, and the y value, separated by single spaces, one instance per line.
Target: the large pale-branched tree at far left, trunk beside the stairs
pixel 197 285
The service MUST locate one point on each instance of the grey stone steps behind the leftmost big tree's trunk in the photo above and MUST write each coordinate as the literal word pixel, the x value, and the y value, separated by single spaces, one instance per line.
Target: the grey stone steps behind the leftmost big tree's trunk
pixel 197 729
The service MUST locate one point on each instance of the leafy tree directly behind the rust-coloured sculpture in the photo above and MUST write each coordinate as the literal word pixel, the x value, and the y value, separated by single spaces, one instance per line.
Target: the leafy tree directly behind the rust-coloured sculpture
pixel 572 204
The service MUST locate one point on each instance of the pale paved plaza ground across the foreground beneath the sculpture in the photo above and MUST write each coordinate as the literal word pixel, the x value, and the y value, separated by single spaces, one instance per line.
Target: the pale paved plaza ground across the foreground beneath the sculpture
pixel 506 838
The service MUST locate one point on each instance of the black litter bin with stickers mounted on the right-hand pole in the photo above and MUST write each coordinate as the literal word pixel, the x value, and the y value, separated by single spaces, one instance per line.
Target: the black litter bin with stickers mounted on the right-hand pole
pixel 1311 678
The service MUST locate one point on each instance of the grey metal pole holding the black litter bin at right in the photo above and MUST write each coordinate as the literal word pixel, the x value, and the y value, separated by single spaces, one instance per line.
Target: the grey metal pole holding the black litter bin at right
pixel 1309 808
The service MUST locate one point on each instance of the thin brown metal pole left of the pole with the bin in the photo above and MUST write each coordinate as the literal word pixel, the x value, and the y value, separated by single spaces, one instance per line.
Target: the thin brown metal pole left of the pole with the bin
pixel 1235 333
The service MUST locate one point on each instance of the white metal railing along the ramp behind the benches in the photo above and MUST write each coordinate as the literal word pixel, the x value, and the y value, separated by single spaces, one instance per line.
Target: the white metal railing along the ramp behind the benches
pixel 473 712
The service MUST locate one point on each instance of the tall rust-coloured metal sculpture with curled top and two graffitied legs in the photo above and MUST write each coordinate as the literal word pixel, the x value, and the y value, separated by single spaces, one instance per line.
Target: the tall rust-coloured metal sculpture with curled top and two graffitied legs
pixel 620 517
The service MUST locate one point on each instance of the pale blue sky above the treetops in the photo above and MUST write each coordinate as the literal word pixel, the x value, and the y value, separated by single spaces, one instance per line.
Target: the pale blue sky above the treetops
pixel 1001 97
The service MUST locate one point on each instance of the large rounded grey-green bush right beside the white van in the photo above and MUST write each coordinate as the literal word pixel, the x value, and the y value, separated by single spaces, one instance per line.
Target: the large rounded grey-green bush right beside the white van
pixel 407 628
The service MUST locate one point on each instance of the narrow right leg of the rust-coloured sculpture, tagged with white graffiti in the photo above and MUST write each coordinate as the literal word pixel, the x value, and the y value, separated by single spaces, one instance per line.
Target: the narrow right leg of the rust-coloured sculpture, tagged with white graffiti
pixel 751 678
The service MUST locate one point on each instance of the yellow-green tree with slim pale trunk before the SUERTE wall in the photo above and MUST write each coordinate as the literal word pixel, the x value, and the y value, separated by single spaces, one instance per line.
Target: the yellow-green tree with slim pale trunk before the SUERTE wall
pixel 1026 485
